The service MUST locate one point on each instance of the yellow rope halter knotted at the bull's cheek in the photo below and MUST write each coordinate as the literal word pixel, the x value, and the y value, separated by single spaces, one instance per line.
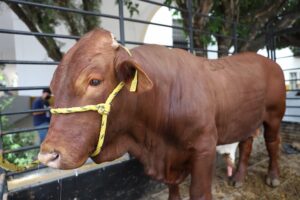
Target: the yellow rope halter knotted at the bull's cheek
pixel 102 108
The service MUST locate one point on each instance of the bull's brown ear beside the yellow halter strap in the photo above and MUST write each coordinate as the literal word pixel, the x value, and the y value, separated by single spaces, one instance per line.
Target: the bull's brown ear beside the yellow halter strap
pixel 126 72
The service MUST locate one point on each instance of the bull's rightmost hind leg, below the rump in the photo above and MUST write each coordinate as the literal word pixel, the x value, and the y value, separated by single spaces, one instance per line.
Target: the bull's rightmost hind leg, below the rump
pixel 272 140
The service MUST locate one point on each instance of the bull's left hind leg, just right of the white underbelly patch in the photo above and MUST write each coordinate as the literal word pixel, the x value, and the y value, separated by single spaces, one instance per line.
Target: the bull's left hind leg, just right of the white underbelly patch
pixel 245 148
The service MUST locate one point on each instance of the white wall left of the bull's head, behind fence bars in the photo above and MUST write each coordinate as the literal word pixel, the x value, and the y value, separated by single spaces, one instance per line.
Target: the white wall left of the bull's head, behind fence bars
pixel 19 47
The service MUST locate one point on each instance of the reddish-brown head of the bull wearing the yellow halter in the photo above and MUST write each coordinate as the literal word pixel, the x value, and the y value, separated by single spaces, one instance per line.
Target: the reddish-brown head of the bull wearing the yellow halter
pixel 88 73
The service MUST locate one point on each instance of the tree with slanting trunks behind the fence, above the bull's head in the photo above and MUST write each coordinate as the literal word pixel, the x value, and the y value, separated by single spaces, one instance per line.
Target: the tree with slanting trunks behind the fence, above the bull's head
pixel 45 20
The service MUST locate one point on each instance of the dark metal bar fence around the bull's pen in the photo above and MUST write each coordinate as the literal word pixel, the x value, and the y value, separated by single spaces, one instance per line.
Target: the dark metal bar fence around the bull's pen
pixel 190 31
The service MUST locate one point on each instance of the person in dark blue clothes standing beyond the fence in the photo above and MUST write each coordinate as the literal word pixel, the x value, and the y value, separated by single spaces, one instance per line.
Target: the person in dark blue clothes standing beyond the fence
pixel 42 118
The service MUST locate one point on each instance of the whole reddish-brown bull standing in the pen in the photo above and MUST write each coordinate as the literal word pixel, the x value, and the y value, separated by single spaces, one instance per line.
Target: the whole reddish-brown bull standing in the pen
pixel 183 108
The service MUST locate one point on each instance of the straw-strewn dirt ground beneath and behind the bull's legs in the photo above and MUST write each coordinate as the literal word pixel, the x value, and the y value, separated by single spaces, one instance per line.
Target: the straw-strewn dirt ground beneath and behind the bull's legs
pixel 254 187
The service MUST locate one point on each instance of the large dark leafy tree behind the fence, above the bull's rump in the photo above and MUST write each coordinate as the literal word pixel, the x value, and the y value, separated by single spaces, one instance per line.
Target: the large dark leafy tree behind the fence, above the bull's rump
pixel 254 17
